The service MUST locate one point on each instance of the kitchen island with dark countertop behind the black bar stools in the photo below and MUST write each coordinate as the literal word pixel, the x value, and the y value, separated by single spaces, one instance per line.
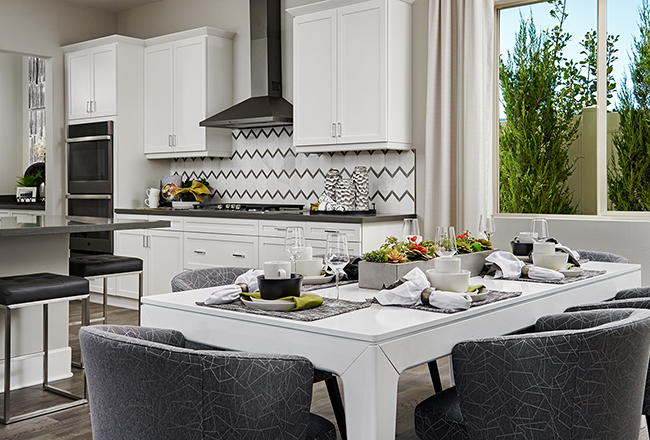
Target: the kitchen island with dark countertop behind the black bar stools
pixel 42 245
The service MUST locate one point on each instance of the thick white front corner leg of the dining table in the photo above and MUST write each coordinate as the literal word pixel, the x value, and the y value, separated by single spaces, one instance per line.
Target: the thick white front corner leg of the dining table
pixel 370 396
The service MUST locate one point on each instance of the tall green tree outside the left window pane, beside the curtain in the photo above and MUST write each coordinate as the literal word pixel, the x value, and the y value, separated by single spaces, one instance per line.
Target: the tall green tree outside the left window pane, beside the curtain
pixel 541 96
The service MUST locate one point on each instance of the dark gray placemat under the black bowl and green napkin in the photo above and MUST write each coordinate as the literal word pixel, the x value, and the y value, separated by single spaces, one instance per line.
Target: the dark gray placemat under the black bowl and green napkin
pixel 330 307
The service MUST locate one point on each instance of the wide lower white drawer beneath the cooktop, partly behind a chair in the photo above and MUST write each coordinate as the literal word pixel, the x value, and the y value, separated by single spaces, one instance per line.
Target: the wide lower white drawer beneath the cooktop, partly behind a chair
pixel 207 250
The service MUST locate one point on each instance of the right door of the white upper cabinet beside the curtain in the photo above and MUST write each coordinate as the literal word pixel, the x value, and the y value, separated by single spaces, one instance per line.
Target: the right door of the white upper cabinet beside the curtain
pixel 361 92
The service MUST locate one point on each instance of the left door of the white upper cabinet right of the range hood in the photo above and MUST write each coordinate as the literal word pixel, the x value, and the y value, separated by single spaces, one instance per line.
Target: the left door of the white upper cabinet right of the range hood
pixel 315 67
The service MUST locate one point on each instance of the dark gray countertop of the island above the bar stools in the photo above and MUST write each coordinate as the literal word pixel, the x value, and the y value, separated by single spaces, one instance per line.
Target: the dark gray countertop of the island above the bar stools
pixel 60 224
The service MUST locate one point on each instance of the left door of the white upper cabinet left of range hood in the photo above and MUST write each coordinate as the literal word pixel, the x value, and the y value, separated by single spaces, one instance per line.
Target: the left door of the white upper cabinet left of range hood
pixel 159 93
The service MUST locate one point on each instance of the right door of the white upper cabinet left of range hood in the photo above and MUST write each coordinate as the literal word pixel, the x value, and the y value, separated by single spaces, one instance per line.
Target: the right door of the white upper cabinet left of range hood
pixel 190 94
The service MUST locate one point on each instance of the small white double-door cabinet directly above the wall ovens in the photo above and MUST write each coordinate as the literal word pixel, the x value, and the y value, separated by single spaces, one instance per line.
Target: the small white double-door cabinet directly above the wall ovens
pixel 91 81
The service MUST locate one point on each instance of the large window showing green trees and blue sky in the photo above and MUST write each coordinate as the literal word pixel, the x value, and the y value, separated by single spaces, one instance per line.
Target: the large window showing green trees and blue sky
pixel 554 155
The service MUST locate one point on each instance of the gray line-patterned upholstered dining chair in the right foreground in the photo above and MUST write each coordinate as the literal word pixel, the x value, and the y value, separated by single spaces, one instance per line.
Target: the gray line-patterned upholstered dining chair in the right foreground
pixel 579 376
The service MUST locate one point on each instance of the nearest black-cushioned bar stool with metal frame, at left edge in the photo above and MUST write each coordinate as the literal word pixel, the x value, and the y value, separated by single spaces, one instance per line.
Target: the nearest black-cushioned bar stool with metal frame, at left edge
pixel 33 290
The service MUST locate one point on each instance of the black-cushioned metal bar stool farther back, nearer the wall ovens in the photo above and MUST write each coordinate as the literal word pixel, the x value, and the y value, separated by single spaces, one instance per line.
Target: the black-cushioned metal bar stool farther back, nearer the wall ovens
pixel 104 266
